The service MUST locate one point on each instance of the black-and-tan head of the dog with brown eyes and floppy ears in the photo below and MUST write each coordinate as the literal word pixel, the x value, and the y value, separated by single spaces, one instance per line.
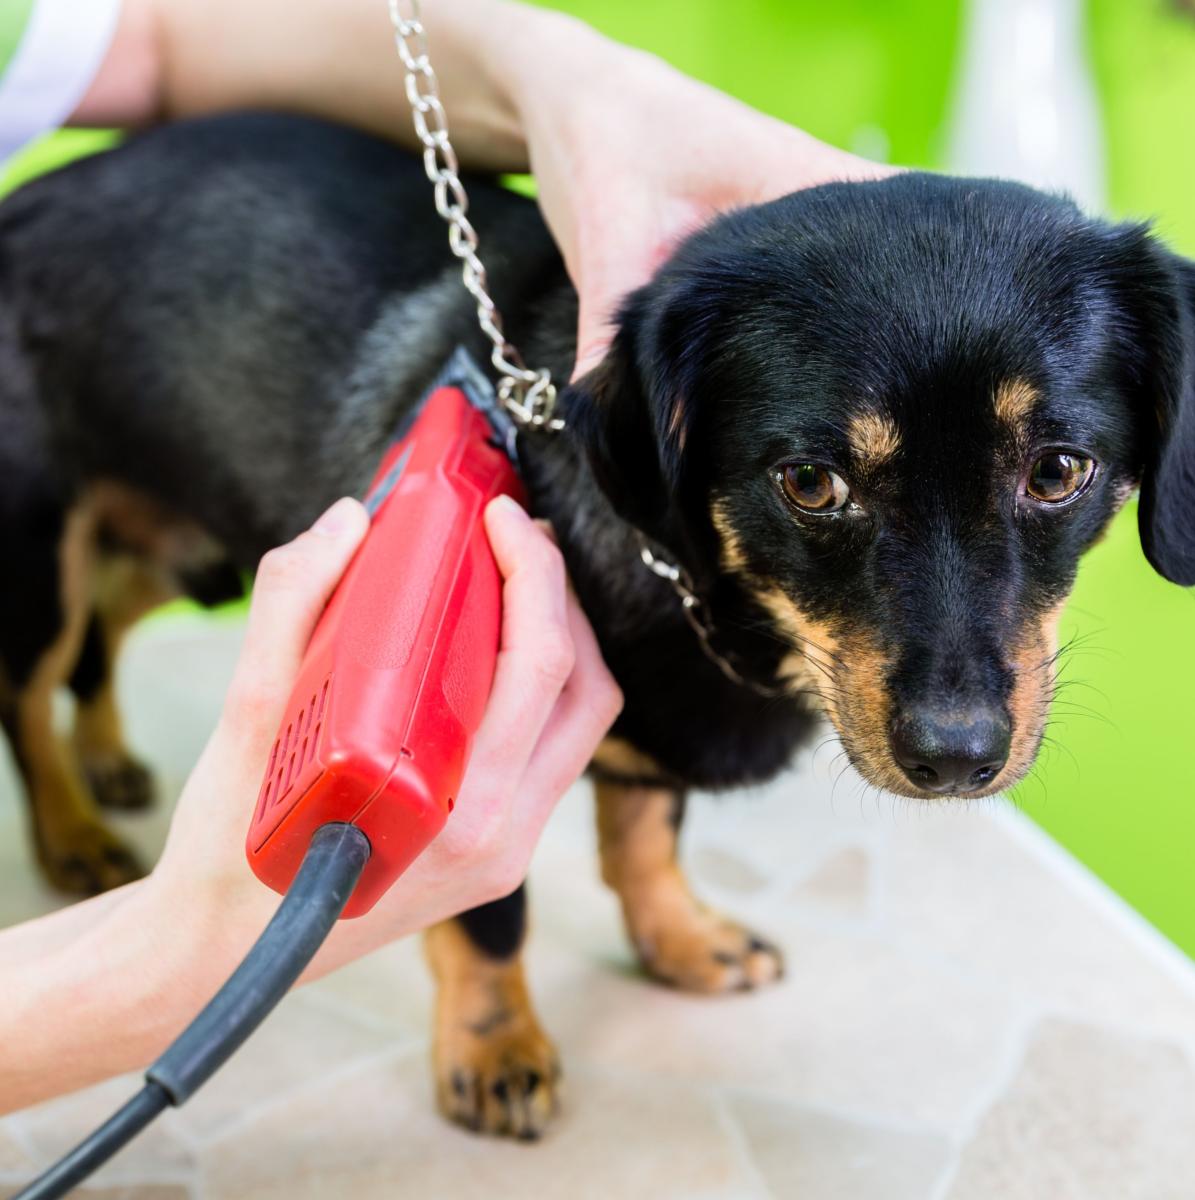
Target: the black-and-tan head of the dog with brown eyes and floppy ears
pixel 898 413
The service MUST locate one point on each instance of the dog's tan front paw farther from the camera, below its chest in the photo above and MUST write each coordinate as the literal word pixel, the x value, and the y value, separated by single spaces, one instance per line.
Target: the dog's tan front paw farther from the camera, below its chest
pixel 700 951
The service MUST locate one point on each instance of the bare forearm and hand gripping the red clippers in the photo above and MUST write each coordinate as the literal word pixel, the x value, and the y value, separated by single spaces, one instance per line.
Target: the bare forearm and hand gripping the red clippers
pixel 103 988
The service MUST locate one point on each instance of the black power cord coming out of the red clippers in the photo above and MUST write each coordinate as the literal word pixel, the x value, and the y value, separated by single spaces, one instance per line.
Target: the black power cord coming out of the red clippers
pixel 309 911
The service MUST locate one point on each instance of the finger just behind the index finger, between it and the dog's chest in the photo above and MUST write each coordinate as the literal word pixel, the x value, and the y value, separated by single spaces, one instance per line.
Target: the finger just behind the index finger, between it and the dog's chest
pixel 583 717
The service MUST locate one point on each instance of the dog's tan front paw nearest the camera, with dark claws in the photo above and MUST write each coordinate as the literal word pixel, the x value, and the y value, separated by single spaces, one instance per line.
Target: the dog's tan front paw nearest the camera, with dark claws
pixel 503 1082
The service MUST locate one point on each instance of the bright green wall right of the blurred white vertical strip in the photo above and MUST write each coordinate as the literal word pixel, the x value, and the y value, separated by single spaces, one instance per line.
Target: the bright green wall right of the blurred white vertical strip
pixel 1122 794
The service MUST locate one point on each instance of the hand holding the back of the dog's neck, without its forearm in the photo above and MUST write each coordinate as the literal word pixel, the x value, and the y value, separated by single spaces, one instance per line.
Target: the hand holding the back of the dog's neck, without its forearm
pixel 641 155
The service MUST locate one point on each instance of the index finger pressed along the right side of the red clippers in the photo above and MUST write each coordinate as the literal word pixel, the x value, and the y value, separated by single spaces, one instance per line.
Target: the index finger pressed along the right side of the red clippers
pixel 537 655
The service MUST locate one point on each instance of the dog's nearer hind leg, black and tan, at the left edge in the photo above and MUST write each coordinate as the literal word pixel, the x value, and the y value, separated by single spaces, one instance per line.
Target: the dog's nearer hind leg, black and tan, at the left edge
pixel 47 605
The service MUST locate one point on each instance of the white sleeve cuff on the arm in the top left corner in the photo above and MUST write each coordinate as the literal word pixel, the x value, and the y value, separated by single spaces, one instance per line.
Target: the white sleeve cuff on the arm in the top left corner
pixel 62 51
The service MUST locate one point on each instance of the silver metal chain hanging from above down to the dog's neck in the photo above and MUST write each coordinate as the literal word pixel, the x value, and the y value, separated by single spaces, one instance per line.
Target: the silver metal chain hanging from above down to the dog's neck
pixel 530 397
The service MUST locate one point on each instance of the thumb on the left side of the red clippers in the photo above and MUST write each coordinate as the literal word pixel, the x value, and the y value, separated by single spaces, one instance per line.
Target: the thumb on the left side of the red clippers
pixel 292 587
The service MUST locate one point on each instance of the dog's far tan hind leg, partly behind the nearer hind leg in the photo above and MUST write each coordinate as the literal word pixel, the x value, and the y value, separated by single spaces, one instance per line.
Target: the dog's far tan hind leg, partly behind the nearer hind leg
pixel 125 591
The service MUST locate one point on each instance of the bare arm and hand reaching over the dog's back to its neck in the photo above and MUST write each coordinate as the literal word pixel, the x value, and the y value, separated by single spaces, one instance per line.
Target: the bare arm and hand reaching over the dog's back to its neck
pixel 629 154
